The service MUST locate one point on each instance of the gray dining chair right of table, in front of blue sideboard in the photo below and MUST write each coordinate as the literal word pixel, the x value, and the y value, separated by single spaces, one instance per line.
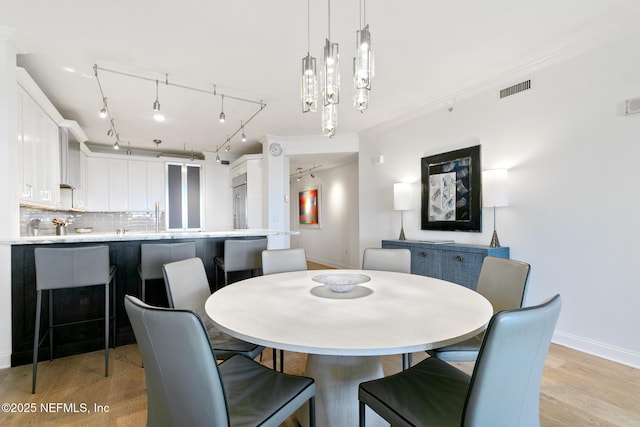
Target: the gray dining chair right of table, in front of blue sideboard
pixel 502 282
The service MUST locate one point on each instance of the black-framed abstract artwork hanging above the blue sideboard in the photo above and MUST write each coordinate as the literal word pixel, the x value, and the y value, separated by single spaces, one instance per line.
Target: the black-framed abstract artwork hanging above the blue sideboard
pixel 452 190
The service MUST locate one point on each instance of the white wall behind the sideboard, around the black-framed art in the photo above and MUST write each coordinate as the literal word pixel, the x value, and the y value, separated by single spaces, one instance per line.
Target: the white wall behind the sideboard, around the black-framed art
pixel 572 157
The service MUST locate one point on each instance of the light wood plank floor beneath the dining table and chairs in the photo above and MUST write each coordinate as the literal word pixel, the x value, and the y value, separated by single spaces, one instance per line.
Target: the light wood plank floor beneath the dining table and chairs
pixel 577 390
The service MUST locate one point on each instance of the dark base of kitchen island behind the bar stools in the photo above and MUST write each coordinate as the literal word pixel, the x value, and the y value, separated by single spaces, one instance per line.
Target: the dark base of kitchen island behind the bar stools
pixel 88 302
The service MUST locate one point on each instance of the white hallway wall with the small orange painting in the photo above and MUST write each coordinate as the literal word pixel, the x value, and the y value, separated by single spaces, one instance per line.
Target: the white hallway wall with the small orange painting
pixel 335 243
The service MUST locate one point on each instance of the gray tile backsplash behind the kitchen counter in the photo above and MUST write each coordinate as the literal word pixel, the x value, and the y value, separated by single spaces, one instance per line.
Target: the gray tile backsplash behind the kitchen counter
pixel 101 222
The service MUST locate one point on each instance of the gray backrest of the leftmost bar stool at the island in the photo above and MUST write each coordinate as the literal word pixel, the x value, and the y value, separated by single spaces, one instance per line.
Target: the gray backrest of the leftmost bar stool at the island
pixel 71 267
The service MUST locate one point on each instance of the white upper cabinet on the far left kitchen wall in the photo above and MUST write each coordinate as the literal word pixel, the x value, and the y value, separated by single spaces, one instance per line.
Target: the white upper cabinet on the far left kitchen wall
pixel 39 155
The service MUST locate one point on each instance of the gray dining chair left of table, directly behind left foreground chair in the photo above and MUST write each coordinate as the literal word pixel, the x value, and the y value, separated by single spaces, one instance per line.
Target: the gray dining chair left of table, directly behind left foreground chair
pixel 188 289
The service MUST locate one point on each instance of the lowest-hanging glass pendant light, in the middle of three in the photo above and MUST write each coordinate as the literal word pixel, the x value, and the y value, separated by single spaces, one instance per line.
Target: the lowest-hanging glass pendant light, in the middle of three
pixel 331 82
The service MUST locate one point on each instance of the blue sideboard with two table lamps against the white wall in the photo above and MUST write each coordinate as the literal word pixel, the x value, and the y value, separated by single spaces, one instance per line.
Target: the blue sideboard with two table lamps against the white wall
pixel 454 262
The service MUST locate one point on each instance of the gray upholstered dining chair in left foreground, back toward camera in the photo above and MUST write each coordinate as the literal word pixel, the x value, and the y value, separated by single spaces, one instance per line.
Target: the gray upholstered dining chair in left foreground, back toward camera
pixel 185 385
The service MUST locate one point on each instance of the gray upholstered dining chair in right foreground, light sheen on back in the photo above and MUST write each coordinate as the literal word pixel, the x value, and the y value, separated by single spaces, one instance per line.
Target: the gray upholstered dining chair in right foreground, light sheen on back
pixel 503 391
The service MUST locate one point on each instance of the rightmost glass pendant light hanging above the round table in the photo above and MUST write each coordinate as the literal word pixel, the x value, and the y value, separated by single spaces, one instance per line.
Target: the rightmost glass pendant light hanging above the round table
pixel 363 64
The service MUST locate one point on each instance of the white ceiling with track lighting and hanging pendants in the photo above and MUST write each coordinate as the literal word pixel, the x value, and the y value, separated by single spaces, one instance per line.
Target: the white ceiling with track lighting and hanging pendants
pixel 426 52
